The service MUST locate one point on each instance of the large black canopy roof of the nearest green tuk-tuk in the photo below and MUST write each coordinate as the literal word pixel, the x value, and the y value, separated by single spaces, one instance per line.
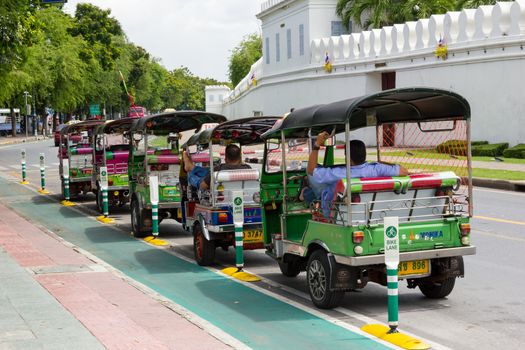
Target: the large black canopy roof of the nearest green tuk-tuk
pixel 389 106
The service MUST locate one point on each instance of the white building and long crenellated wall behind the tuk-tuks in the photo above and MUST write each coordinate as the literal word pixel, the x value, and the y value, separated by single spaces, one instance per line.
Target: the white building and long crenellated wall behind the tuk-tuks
pixel 485 62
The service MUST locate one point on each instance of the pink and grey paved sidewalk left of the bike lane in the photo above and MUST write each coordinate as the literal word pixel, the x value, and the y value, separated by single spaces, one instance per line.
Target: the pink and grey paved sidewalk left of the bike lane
pixel 53 297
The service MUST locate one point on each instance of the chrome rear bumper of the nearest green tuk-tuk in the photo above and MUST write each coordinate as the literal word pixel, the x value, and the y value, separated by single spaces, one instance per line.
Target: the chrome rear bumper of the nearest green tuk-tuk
pixel 406 256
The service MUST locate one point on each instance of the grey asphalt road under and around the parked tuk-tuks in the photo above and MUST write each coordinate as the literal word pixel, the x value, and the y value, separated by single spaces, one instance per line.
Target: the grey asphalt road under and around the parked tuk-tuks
pixel 486 310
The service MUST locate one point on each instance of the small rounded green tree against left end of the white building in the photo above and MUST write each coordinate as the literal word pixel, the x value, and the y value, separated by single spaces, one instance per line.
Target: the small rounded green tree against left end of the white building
pixel 243 56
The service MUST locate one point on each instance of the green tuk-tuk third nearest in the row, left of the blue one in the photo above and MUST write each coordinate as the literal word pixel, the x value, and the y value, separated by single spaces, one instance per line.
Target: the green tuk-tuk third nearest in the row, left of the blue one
pixel 154 151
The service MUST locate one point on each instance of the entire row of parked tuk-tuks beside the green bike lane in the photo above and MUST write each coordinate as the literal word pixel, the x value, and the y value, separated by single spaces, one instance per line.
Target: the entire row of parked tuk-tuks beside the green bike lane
pixel 340 251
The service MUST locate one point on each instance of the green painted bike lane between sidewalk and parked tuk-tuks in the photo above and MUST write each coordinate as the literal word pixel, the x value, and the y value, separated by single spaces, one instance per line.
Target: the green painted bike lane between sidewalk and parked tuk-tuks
pixel 254 318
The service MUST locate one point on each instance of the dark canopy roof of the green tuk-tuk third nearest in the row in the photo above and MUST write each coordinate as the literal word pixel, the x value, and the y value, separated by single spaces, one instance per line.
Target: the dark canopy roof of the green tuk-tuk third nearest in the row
pixel 178 121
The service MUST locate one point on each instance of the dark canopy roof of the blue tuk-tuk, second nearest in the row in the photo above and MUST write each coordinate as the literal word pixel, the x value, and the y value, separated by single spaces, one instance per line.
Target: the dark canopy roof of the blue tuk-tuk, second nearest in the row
pixel 245 131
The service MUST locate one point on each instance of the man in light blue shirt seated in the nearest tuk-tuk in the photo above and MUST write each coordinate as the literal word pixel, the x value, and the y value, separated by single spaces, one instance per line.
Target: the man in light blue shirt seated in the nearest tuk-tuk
pixel 325 179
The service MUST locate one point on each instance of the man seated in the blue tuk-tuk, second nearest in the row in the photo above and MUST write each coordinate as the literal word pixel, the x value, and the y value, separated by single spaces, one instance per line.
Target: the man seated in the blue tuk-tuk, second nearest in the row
pixel 199 177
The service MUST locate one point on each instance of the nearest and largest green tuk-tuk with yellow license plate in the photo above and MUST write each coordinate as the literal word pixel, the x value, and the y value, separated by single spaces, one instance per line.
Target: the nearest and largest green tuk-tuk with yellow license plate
pixel 339 239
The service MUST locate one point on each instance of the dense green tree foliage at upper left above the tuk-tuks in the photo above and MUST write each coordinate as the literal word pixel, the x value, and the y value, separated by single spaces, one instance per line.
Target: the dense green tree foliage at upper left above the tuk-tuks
pixel 68 63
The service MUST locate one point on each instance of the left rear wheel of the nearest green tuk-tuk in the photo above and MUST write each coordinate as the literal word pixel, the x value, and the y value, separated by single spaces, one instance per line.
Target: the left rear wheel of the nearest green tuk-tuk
pixel 318 281
